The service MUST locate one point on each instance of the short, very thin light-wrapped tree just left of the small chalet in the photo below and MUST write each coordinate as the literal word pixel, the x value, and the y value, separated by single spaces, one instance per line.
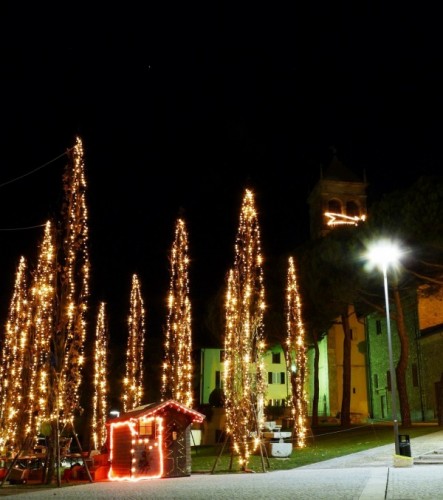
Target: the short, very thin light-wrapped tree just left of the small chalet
pixel 100 403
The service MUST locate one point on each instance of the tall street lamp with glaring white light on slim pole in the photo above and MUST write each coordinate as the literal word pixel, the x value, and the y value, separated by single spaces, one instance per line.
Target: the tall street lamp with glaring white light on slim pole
pixel 384 254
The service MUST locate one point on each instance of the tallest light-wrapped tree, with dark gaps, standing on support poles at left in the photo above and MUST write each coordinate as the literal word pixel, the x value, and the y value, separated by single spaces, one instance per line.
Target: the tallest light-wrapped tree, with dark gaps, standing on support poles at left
pixel 73 276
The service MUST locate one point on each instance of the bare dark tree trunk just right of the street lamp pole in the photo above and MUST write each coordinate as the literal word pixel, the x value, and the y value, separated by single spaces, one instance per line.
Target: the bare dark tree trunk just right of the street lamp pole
pixel 402 365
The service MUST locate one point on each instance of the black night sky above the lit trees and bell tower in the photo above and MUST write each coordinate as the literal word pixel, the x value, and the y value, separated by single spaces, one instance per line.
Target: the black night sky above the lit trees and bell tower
pixel 181 107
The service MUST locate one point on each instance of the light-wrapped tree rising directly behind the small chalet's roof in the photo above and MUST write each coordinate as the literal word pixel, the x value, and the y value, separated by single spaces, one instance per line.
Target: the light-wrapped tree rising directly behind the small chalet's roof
pixel 177 365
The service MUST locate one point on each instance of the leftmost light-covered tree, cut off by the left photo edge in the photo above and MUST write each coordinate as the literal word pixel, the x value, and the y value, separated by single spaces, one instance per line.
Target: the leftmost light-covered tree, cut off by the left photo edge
pixel 13 383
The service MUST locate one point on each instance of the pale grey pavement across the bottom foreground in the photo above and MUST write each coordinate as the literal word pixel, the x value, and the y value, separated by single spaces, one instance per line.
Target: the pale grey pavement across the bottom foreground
pixel 367 475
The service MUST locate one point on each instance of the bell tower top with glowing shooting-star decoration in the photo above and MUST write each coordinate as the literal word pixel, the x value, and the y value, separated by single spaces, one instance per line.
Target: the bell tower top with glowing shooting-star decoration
pixel 338 198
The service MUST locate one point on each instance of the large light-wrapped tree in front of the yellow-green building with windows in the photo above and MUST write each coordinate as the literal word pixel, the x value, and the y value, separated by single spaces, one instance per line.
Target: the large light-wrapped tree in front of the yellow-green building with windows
pixel 244 372
